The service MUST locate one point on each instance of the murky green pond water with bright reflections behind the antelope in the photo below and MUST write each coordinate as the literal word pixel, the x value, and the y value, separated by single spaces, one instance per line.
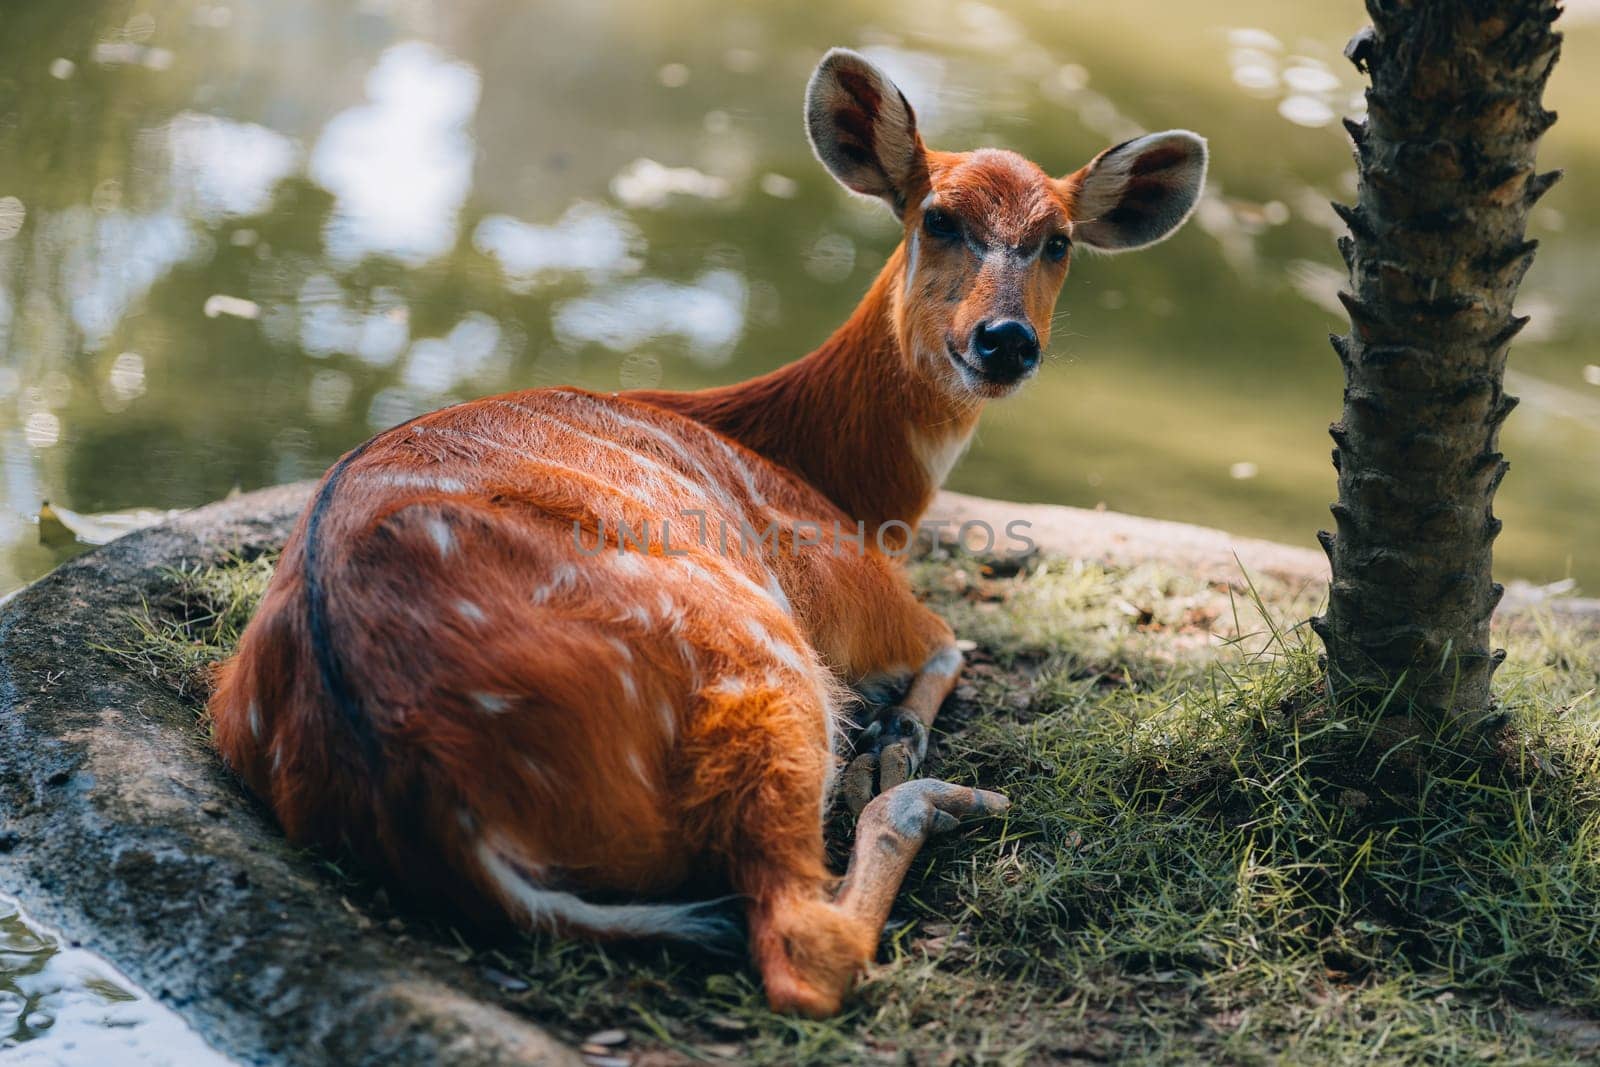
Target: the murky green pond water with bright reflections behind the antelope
pixel 236 239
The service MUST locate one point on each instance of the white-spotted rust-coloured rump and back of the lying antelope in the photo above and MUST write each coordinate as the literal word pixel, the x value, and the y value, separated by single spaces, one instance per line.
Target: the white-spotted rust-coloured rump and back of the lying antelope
pixel 500 653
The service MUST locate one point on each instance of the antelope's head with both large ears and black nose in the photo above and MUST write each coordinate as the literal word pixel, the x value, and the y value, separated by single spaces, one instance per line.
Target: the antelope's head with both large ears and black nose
pixel 990 234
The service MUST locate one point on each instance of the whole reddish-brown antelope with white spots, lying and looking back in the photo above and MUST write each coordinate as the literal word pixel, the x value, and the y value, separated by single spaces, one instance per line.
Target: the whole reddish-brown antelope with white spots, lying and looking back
pixel 500 669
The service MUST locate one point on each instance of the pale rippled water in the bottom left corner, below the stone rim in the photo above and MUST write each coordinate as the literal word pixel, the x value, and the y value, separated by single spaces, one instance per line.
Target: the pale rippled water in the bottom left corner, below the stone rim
pixel 65 1005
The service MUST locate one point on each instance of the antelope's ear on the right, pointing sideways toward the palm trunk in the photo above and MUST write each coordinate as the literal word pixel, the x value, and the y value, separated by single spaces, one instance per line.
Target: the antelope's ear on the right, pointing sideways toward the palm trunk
pixel 1137 193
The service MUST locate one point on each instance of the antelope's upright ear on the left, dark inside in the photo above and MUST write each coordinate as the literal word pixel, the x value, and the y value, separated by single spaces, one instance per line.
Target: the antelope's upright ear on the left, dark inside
pixel 863 130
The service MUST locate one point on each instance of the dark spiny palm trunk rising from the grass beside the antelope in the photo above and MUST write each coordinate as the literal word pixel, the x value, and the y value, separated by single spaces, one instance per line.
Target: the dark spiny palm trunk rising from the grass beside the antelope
pixel 1436 255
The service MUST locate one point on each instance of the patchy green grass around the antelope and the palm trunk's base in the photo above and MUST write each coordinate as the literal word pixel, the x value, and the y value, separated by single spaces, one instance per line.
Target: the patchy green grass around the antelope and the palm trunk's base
pixel 1199 865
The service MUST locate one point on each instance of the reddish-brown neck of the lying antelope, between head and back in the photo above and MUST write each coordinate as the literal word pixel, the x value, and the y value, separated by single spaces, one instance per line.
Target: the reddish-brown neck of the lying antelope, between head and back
pixel 854 418
